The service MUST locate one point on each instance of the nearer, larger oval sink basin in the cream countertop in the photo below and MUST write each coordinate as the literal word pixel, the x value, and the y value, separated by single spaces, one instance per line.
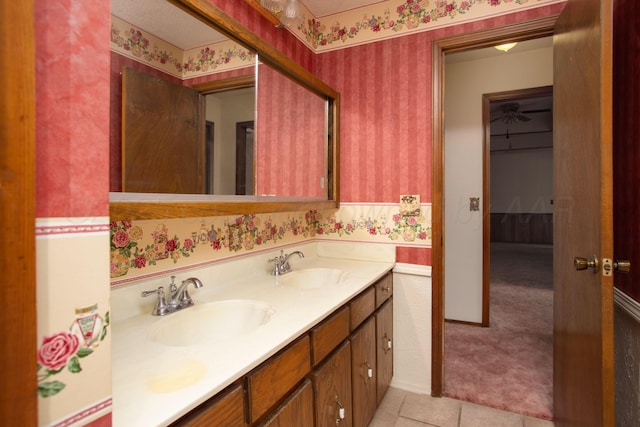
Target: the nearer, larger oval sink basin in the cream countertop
pixel 215 321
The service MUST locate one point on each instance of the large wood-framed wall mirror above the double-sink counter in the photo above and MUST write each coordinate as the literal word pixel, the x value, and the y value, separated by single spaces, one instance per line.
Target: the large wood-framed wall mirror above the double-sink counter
pixel 267 132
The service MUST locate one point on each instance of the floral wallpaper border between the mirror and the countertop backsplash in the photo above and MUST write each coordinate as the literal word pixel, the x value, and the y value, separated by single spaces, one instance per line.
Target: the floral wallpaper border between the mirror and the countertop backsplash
pixel 146 247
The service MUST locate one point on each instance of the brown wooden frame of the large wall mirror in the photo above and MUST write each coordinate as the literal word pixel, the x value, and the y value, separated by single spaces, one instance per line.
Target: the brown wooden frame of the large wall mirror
pixel 220 21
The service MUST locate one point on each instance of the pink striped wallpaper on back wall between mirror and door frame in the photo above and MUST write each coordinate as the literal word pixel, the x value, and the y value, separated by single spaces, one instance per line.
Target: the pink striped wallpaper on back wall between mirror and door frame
pixel 386 110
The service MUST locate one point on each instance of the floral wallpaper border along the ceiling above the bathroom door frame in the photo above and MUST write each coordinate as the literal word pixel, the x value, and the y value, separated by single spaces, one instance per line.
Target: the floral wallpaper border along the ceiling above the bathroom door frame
pixel 395 17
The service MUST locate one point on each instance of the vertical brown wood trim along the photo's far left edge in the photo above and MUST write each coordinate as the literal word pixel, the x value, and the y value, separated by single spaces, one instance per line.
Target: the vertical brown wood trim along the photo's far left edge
pixel 18 402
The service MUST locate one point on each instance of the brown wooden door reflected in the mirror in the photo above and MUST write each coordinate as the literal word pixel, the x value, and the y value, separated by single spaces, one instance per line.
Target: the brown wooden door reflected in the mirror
pixel 163 136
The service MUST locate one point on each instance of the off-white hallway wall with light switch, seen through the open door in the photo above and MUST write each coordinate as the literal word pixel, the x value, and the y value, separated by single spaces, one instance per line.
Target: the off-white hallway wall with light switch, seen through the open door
pixel 465 83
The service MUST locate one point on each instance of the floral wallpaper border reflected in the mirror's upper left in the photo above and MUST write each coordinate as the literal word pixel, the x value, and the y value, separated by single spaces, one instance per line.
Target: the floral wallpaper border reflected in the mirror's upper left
pixel 144 47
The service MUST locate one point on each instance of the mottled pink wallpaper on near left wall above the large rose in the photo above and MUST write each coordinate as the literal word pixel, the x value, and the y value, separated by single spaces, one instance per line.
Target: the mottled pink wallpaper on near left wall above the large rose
pixel 72 111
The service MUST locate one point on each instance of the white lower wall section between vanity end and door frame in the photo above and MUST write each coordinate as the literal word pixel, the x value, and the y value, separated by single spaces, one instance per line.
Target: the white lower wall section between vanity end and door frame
pixel 412 328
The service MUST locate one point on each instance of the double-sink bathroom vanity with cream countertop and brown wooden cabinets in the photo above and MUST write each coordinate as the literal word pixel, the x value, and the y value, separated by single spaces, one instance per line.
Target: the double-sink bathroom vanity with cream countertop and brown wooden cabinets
pixel 310 347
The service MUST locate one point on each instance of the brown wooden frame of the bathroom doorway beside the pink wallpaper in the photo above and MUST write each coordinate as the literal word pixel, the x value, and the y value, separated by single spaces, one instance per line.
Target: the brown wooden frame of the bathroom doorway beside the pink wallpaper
pixel 536 28
